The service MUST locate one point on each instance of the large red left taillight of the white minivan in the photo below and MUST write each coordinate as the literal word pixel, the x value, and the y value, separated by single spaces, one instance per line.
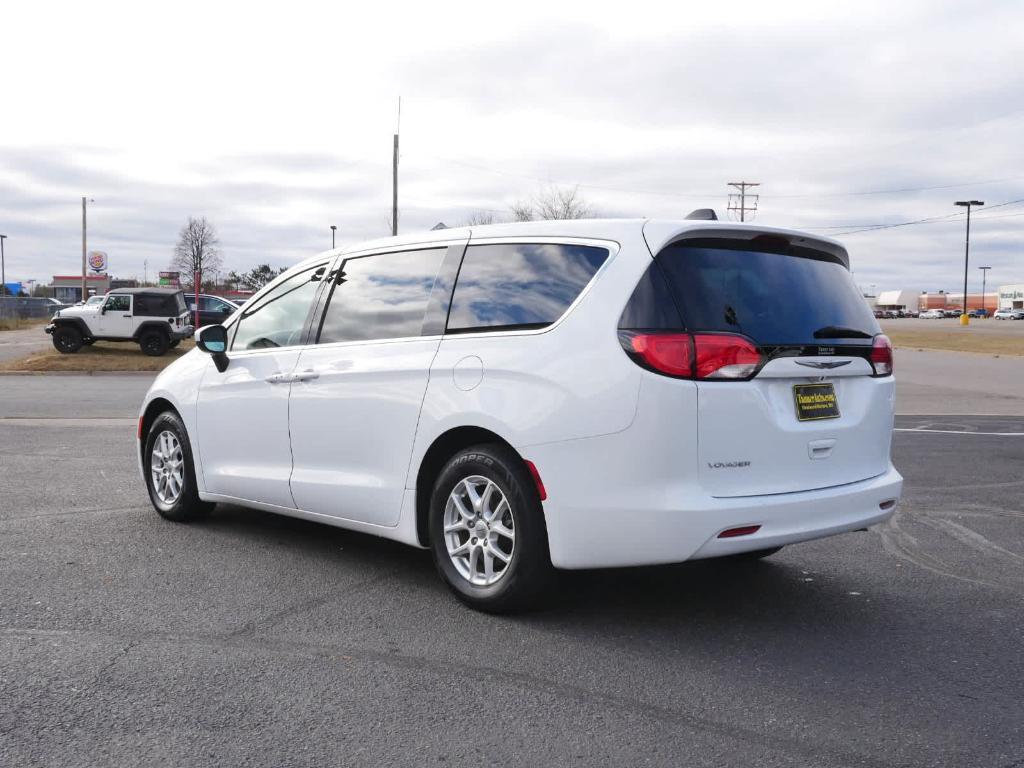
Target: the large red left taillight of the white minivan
pixel 706 357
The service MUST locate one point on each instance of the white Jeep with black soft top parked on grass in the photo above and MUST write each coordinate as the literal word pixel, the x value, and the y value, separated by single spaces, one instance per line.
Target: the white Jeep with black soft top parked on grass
pixel 156 319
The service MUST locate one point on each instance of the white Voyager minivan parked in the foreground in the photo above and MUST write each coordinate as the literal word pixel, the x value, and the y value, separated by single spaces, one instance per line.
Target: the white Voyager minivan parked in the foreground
pixel 529 397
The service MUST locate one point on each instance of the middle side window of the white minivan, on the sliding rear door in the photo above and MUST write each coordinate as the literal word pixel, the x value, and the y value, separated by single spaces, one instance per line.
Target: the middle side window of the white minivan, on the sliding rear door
pixel 383 296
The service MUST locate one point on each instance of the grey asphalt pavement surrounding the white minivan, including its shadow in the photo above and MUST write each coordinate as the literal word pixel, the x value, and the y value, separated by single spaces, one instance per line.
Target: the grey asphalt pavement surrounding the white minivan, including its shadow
pixel 261 641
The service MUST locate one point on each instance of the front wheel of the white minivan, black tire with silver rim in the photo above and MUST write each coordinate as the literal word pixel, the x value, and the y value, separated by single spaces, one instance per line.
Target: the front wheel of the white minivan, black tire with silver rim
pixel 185 506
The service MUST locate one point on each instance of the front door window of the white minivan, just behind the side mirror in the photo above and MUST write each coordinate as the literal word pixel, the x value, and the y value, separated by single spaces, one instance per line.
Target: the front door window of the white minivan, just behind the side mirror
pixel 279 317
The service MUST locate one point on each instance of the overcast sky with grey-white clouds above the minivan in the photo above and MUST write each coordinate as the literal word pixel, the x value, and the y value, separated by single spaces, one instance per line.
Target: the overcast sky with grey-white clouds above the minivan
pixel 275 121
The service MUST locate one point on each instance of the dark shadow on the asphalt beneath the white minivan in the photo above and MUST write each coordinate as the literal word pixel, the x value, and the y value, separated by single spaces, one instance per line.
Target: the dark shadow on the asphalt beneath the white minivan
pixel 772 593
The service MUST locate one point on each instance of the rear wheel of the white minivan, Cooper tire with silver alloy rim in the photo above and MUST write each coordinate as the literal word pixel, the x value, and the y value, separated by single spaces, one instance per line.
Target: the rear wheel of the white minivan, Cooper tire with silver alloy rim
pixel 515 584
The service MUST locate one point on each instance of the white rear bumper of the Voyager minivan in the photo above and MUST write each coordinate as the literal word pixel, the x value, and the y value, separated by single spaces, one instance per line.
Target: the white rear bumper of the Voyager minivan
pixel 606 538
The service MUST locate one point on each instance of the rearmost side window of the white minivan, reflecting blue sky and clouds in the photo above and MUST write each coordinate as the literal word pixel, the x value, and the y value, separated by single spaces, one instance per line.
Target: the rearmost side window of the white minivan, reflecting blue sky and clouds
pixel 520 286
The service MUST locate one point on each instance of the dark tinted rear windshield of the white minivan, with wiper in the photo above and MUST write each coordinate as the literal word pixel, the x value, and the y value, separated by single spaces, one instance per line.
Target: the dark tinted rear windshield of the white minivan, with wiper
pixel 774 294
